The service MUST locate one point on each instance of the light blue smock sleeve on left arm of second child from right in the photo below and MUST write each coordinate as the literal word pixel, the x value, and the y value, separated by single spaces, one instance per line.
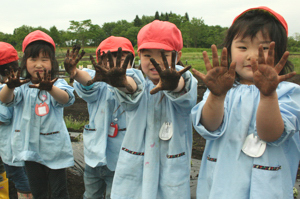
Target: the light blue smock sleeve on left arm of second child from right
pixel 130 101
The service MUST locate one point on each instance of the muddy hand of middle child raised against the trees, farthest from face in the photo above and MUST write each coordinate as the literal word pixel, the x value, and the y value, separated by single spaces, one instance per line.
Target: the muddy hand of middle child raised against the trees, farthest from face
pixel 72 59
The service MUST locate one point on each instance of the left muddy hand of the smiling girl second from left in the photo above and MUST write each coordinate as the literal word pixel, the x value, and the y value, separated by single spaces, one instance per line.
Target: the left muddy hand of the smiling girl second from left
pixel 13 80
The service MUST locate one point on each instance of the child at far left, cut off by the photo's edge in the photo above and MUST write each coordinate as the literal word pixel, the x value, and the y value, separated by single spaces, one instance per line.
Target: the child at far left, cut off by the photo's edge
pixel 14 171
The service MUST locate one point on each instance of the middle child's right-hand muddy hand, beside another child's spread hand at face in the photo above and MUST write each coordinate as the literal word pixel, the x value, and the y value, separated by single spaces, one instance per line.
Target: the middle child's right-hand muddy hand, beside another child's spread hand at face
pixel 100 67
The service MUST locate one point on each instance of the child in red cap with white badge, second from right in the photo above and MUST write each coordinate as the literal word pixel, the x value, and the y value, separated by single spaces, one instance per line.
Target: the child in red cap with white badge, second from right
pixel 156 152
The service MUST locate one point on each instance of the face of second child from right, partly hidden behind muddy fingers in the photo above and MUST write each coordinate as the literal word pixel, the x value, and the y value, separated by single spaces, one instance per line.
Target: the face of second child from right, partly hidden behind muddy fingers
pixel 148 68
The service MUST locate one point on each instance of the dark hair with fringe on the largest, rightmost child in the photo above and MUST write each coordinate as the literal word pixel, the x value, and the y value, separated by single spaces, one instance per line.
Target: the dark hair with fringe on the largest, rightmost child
pixel 254 21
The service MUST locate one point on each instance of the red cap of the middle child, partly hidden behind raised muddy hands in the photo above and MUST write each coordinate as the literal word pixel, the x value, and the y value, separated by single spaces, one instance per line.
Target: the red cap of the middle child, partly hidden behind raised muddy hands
pixel 112 44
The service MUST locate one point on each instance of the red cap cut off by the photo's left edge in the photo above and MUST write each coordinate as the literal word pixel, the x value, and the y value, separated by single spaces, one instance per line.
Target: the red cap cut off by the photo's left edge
pixel 7 53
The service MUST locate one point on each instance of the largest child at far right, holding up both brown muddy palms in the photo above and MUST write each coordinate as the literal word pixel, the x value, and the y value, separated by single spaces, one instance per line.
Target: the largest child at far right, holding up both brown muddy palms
pixel 249 114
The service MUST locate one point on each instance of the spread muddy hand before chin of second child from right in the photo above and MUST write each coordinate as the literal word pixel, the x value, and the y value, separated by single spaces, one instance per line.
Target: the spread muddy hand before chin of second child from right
pixel 169 76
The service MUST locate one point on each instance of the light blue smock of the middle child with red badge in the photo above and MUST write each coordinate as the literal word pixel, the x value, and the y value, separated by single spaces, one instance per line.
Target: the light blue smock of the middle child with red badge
pixel 104 109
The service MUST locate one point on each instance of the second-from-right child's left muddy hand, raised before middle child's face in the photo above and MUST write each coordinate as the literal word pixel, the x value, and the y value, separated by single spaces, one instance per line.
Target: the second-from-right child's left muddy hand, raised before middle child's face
pixel 117 74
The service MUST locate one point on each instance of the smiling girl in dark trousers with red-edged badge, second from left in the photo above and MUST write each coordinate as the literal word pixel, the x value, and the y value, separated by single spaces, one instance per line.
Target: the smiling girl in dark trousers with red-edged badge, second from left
pixel 40 136
